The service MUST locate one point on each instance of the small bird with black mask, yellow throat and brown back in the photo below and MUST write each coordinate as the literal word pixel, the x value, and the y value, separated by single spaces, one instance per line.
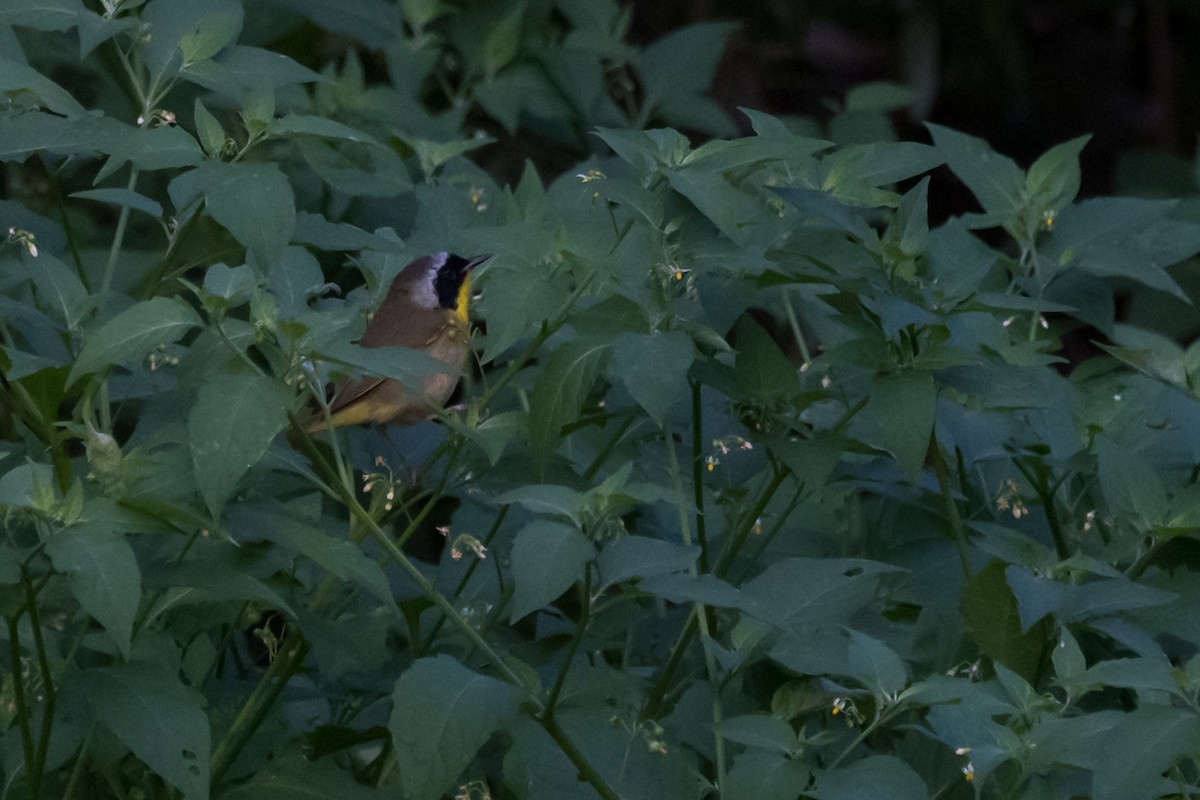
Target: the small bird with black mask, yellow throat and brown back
pixel 425 310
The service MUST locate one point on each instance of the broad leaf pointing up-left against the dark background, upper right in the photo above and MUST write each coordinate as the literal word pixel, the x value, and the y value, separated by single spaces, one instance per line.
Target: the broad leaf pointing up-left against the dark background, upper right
pixel 995 181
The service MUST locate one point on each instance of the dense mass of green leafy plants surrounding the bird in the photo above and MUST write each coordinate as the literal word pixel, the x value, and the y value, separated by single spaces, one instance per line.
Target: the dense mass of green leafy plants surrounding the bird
pixel 760 488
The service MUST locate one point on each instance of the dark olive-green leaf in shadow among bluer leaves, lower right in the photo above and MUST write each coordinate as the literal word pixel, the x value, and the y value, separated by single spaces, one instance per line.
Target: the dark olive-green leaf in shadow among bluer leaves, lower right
pixel 991 613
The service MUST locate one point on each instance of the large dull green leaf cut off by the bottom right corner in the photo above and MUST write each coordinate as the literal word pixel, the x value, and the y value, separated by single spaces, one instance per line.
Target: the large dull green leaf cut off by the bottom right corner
pixel 1141 749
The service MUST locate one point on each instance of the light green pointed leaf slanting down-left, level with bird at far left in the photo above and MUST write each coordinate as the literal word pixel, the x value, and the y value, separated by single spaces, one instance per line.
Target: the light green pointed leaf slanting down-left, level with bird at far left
pixel 134 334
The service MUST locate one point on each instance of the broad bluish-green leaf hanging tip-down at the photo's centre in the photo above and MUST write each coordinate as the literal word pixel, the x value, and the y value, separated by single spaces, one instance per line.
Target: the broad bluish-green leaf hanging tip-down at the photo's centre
pixel 655 369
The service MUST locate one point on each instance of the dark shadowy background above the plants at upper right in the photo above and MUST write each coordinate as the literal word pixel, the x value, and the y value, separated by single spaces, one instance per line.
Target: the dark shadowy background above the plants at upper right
pixel 1024 75
